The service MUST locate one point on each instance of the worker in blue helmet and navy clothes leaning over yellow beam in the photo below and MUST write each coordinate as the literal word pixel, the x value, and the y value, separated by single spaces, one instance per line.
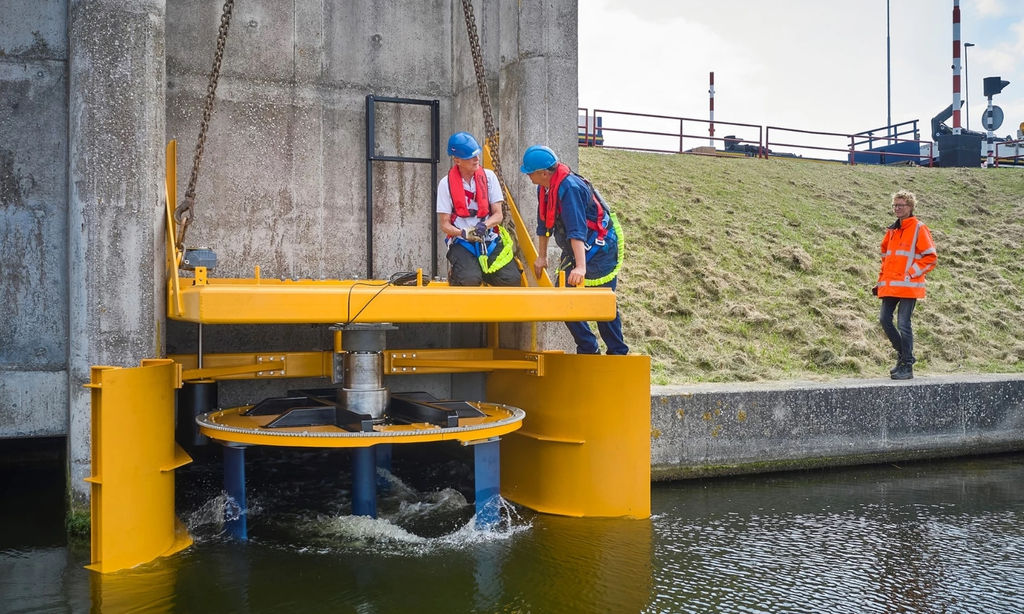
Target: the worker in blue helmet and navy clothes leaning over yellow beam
pixel 572 210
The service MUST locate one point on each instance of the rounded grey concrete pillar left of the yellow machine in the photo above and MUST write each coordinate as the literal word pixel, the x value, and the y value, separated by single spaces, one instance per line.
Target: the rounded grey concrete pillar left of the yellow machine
pixel 115 201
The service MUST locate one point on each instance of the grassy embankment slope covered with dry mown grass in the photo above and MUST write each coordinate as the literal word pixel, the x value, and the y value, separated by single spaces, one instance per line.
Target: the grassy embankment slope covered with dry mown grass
pixel 742 270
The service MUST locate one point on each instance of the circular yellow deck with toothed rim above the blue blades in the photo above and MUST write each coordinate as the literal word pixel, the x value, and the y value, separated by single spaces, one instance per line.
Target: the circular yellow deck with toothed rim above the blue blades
pixel 231 427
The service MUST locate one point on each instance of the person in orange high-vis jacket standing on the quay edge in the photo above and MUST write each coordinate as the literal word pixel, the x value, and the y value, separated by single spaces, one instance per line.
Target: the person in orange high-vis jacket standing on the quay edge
pixel 908 255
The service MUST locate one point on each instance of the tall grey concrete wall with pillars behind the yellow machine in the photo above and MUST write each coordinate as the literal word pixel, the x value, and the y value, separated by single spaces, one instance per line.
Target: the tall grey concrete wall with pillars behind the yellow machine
pixel 91 93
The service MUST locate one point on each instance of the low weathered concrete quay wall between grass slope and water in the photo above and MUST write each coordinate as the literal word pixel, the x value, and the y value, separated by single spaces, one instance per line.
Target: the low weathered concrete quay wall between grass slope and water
pixel 716 429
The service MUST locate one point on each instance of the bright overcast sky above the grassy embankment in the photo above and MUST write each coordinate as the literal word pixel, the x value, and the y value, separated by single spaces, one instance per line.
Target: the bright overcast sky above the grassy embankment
pixel 813 65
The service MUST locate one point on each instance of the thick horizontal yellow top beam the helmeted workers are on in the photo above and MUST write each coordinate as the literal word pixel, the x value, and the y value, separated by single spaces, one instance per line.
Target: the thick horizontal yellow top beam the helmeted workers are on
pixel 220 301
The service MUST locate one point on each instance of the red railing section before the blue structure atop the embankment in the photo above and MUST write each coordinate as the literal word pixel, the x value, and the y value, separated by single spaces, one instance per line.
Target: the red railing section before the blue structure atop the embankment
pixel 848 145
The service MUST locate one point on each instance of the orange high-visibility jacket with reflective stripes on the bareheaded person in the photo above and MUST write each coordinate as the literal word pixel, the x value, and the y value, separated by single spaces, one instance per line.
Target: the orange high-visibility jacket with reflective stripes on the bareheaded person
pixel 908 254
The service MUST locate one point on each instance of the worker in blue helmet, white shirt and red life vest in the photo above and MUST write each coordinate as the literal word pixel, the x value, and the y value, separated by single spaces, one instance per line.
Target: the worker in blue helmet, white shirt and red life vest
pixel 470 212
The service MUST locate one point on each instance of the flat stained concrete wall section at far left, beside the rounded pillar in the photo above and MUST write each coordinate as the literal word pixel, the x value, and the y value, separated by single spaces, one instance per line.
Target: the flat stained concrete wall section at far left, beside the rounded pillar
pixel 33 220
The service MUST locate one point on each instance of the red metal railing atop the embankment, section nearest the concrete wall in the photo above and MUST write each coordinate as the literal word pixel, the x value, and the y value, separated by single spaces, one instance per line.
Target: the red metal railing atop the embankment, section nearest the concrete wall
pixel 594 129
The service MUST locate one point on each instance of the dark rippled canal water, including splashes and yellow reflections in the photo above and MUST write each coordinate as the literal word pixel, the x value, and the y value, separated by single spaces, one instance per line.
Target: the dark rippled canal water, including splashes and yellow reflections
pixel 937 538
